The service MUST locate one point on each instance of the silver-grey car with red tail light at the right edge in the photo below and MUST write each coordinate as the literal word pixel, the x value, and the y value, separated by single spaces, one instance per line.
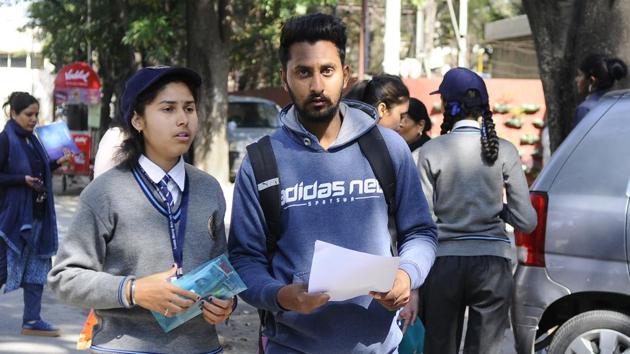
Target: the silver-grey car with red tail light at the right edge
pixel 572 283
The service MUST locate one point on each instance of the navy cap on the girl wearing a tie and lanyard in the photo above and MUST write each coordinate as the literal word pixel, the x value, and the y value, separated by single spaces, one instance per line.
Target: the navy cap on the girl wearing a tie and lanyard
pixel 144 78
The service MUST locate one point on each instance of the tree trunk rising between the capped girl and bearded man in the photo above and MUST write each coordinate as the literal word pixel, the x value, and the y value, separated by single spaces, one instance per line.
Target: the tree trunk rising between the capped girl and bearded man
pixel 208 54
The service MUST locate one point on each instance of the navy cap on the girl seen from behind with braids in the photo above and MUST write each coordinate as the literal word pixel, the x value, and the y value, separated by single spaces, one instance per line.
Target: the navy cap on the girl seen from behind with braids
pixel 459 80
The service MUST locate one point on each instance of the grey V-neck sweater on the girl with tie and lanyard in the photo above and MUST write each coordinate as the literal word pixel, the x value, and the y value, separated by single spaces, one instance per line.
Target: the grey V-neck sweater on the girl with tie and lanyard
pixel 118 234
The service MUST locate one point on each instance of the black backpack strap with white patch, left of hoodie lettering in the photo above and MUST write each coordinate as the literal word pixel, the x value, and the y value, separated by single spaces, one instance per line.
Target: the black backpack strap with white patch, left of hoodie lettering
pixel 265 168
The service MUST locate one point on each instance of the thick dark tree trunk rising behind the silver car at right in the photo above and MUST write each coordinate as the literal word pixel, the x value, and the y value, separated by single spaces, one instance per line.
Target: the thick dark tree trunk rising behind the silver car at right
pixel 565 32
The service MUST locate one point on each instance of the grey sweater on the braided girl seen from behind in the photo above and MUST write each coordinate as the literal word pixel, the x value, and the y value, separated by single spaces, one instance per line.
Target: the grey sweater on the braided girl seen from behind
pixel 465 194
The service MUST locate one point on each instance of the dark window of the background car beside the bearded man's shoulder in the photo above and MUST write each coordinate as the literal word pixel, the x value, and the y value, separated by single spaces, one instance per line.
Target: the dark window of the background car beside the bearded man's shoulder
pixel 252 114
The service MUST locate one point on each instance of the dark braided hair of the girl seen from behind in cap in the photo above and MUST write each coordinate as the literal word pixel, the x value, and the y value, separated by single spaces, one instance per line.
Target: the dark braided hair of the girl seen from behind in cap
pixel 470 107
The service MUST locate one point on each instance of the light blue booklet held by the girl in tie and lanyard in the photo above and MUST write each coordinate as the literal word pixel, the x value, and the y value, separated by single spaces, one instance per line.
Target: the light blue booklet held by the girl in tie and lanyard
pixel 215 278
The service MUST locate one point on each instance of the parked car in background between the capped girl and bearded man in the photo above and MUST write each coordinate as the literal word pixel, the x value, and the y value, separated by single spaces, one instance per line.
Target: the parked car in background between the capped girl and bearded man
pixel 249 119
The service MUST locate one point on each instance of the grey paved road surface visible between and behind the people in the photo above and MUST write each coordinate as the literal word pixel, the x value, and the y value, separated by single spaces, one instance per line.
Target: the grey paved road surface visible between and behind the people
pixel 238 337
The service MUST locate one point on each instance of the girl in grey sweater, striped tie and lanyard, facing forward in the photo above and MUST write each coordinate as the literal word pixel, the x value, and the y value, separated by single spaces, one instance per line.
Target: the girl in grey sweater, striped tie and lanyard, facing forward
pixel 151 218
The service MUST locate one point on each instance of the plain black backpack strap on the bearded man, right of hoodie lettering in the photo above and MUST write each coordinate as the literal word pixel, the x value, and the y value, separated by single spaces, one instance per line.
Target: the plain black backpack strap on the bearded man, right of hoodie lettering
pixel 376 152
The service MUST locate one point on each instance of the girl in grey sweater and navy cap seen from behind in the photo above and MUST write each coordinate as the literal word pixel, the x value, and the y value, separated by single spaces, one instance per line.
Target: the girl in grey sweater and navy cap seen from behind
pixel 464 173
